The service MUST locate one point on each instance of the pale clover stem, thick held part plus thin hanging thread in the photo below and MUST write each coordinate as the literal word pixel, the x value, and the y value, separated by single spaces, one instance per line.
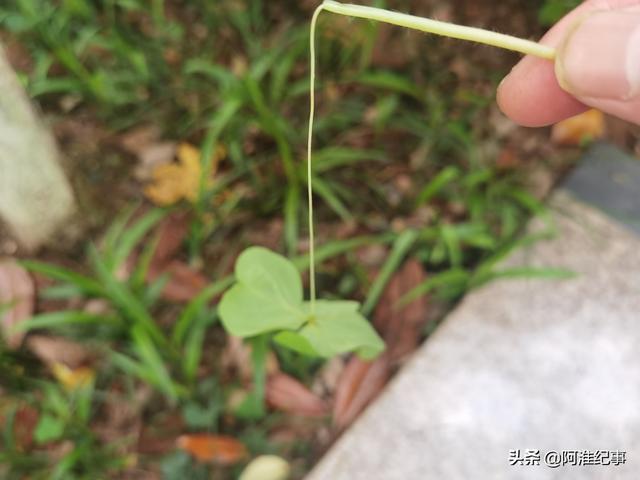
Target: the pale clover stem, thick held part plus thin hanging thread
pixel 427 25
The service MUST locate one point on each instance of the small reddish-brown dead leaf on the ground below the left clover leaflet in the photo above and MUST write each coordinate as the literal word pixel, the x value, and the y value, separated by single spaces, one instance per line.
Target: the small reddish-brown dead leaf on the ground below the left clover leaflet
pixel 289 395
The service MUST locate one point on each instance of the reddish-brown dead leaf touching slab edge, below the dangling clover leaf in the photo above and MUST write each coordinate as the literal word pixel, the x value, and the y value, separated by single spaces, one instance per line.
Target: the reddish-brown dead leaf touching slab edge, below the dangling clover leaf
pixel 359 383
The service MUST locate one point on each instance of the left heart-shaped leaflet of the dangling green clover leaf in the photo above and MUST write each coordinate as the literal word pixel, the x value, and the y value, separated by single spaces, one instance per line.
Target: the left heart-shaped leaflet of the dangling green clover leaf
pixel 266 297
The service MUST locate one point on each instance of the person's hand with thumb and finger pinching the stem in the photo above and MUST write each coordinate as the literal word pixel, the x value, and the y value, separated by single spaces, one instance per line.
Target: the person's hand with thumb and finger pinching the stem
pixel 598 65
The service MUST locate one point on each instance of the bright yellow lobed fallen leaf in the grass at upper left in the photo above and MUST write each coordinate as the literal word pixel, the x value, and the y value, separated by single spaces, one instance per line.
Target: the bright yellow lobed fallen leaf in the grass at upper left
pixel 177 181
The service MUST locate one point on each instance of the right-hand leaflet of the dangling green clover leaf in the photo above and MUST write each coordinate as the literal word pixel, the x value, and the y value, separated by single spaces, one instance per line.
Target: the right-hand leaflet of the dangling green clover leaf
pixel 337 327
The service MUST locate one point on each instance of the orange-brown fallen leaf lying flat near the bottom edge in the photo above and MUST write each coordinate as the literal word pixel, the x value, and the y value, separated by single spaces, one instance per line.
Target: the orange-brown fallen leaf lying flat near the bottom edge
pixel 219 449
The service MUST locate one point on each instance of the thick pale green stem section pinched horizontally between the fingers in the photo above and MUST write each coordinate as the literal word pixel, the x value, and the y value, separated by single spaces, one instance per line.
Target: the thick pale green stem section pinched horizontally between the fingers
pixel 445 29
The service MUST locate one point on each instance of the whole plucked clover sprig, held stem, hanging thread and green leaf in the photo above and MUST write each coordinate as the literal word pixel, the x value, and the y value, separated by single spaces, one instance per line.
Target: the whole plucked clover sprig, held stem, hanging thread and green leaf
pixel 267 299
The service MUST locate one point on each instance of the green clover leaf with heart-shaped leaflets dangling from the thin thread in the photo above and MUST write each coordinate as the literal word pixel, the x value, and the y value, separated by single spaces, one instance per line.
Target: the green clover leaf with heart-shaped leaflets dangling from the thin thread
pixel 268 297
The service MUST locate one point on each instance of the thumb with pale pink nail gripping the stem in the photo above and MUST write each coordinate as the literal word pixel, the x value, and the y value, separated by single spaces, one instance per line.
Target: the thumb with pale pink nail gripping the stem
pixel 599 62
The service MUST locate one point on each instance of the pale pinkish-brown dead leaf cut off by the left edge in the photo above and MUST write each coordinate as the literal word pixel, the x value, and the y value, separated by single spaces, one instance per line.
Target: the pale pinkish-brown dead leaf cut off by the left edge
pixel 16 300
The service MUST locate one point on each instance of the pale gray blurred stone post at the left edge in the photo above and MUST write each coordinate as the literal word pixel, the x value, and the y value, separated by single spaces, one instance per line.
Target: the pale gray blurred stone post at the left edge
pixel 35 196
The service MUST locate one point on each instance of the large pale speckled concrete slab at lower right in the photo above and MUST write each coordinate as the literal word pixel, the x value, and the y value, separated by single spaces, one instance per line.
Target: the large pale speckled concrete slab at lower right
pixel 546 365
